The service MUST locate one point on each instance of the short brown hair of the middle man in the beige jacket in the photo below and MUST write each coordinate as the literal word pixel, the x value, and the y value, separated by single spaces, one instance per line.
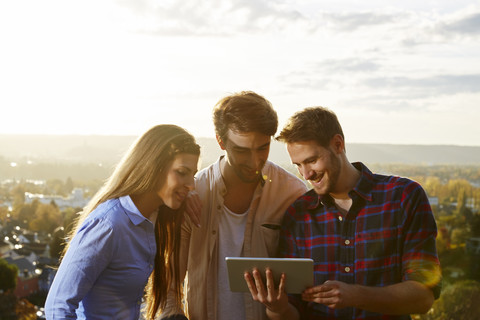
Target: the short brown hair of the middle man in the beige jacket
pixel 245 111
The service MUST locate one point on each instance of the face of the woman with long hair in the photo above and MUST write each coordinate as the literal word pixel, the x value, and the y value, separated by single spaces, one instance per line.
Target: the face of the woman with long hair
pixel 177 180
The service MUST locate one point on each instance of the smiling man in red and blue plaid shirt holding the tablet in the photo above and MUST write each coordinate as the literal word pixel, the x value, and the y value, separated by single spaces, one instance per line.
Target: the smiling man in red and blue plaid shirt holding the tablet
pixel 371 236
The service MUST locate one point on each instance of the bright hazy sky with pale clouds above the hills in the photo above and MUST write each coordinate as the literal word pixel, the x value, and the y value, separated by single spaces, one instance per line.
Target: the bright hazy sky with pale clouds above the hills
pixel 396 72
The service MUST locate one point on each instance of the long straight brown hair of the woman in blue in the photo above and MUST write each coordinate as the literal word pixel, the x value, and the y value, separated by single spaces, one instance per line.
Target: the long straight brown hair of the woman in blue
pixel 138 173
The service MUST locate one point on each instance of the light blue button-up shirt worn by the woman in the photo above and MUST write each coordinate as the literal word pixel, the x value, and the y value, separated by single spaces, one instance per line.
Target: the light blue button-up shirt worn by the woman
pixel 106 268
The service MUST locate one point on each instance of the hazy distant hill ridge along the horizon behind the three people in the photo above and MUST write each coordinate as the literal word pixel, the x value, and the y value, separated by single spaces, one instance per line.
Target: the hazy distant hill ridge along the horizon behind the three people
pixel 109 149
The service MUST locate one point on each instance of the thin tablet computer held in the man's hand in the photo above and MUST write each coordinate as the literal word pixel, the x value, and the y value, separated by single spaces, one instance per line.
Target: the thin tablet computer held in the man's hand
pixel 299 272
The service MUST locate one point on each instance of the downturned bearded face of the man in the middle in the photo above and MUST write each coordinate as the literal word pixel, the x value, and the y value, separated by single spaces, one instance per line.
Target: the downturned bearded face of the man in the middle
pixel 246 154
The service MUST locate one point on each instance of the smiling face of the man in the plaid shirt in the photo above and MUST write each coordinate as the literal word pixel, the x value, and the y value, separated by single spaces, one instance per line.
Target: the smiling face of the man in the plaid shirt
pixel 318 165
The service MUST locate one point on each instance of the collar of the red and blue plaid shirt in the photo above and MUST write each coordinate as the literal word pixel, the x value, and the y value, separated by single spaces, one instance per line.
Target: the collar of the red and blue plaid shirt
pixel 363 188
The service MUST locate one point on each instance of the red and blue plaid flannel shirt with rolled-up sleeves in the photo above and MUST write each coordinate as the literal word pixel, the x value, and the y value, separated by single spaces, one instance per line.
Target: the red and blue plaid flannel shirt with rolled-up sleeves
pixel 388 236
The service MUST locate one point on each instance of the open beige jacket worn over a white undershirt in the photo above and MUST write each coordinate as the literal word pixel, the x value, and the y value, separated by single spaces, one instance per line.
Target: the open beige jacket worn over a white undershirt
pixel 199 250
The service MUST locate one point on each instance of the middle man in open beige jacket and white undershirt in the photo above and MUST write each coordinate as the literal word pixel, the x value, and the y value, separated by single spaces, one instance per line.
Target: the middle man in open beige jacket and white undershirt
pixel 244 197
